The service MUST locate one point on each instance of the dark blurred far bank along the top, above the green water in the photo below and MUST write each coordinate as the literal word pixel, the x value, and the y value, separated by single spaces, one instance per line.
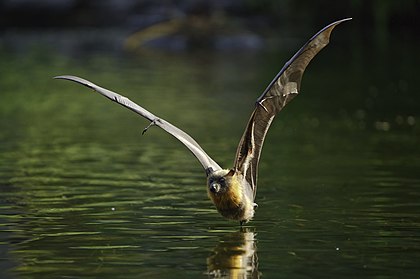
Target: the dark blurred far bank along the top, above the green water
pixel 244 23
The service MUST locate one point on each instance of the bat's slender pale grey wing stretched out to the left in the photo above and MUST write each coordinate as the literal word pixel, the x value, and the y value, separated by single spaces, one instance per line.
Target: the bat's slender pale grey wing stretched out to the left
pixel 208 164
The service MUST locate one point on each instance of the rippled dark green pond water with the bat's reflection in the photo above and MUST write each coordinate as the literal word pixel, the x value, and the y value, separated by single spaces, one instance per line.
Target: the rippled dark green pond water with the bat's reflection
pixel 84 194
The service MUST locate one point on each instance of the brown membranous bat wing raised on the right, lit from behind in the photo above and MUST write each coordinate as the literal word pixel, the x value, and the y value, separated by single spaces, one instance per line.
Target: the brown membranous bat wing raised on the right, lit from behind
pixel 282 89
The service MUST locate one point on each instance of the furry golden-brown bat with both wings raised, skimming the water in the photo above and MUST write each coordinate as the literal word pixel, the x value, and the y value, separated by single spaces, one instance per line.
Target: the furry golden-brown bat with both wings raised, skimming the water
pixel 233 190
